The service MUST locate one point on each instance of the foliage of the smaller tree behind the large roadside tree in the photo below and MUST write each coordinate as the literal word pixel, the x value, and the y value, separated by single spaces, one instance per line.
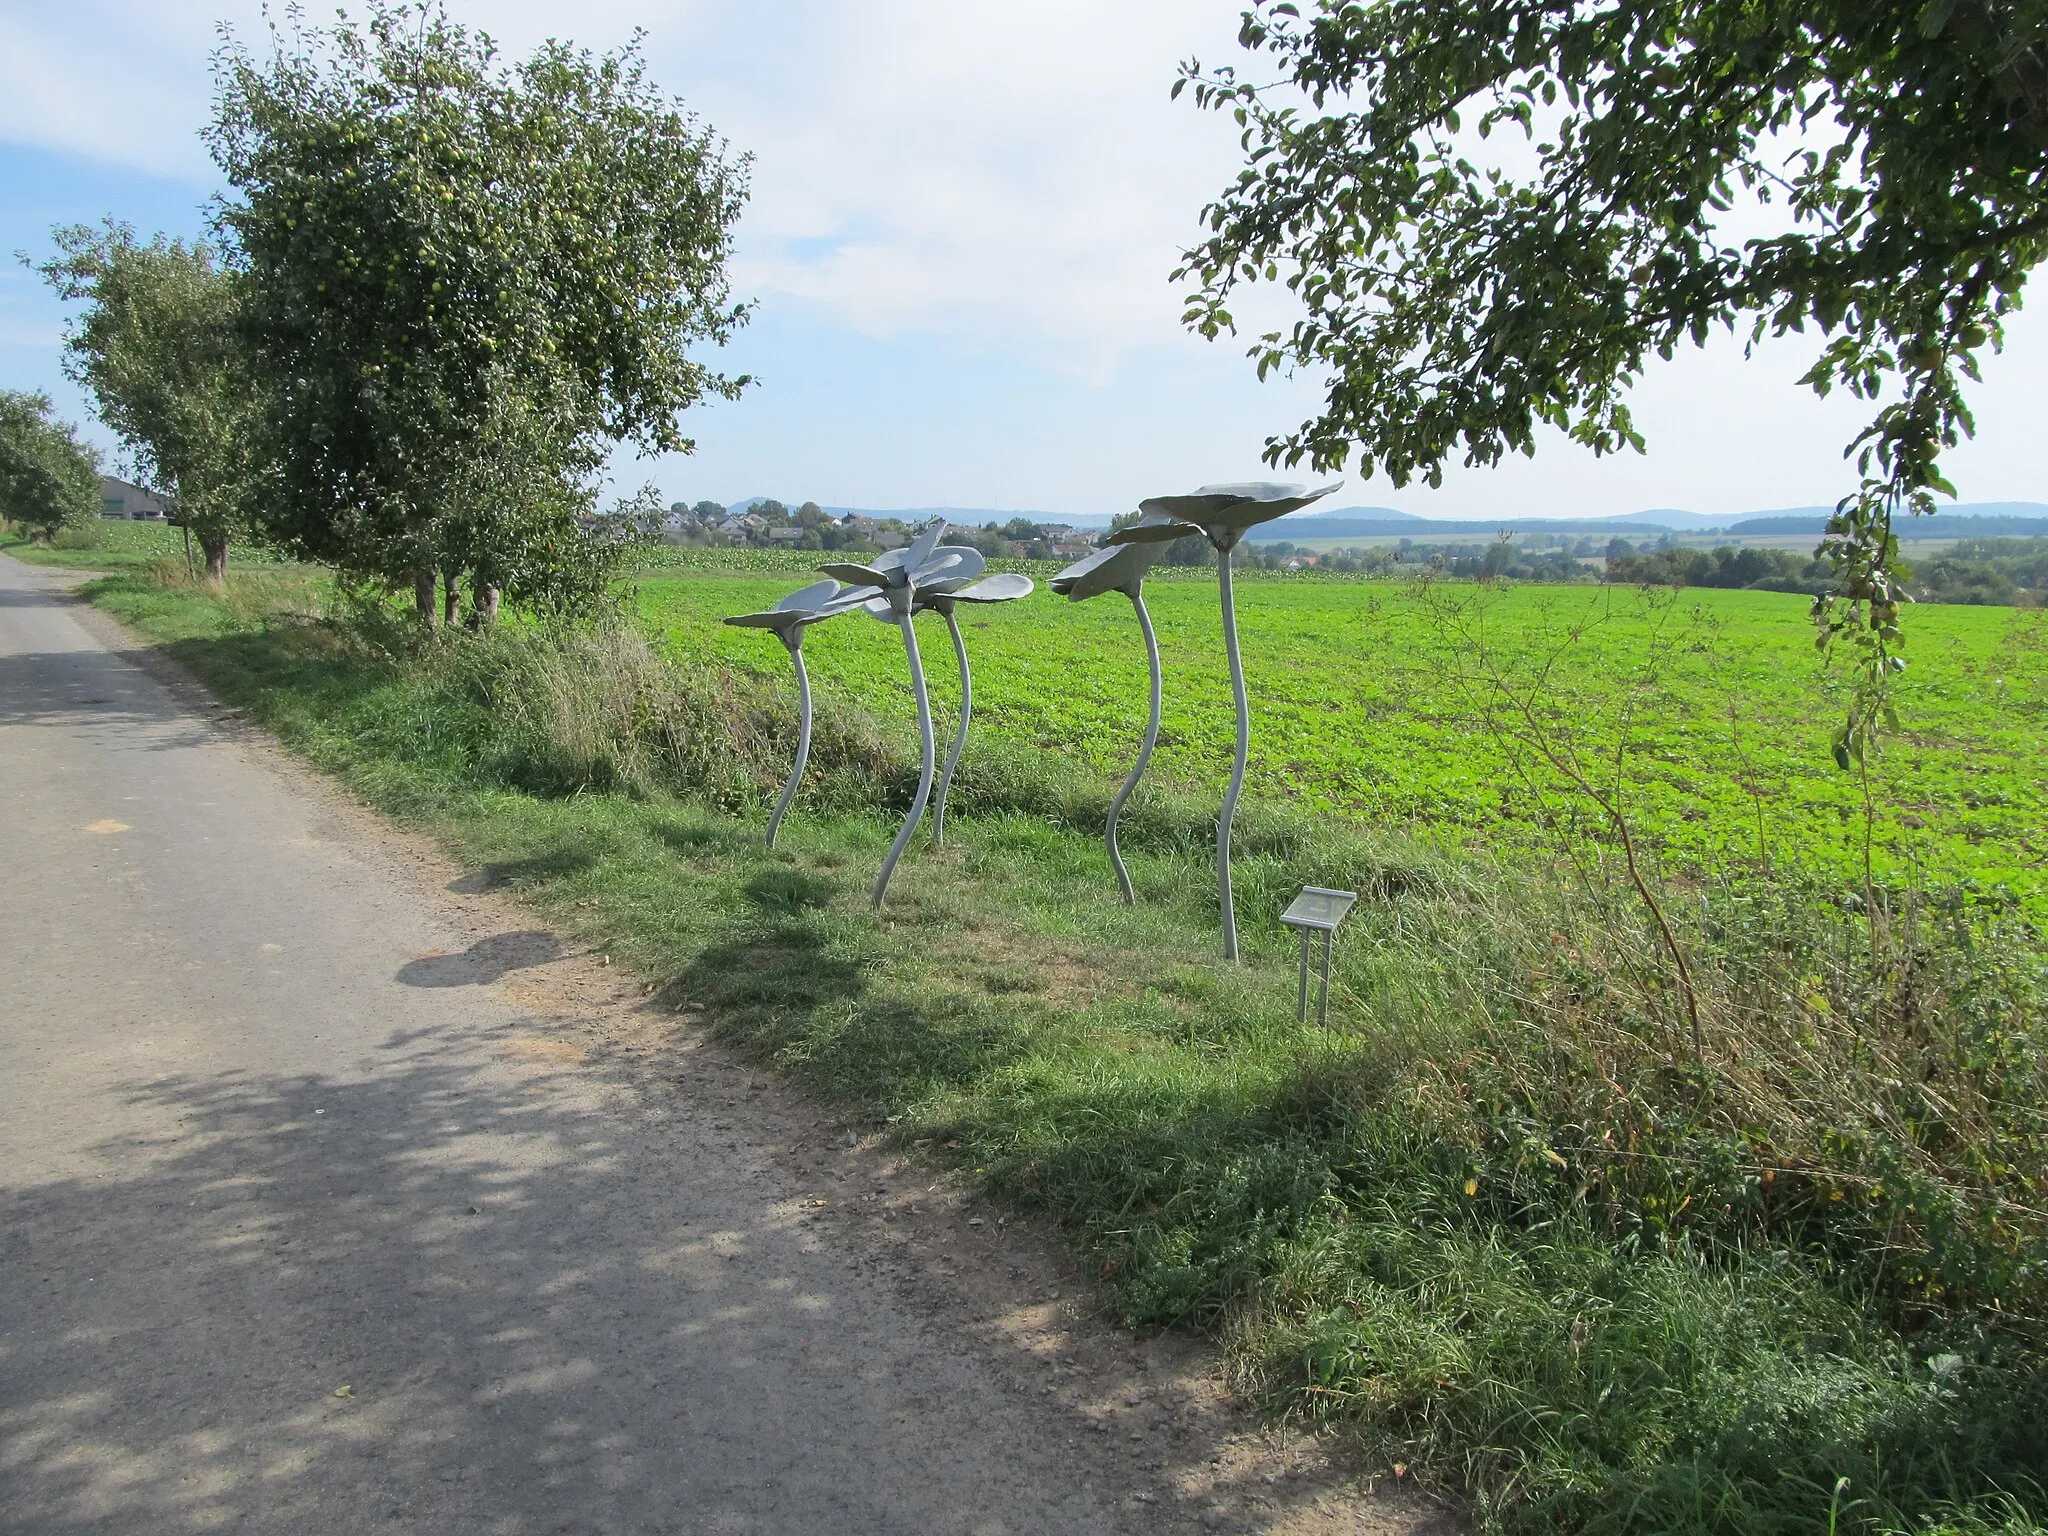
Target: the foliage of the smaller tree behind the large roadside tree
pixel 161 351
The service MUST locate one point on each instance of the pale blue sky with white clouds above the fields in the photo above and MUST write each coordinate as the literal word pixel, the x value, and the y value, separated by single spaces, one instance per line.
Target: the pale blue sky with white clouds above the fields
pixel 962 226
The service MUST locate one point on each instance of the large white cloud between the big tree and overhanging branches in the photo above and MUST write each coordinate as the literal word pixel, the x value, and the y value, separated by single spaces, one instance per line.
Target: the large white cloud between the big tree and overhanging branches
pixel 992 173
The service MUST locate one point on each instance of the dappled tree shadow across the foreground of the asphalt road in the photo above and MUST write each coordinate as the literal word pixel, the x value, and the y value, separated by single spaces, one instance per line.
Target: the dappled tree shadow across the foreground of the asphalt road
pixel 450 1297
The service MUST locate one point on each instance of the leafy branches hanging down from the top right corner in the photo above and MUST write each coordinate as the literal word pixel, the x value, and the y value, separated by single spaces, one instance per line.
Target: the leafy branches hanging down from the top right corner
pixel 1895 148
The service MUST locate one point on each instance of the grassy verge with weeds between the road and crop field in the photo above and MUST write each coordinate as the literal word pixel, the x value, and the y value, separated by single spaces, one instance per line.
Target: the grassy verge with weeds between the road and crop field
pixel 1512 1224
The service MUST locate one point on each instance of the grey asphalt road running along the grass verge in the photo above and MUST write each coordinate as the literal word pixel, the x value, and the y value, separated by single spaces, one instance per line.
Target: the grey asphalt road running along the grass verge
pixel 308 1228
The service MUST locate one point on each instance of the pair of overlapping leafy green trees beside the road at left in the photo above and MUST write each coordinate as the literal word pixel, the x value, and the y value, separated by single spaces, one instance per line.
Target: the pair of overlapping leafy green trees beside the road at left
pixel 441 292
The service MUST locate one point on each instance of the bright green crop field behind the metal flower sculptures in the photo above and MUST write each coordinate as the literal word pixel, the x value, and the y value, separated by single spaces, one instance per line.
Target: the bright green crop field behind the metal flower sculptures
pixel 1705 716
